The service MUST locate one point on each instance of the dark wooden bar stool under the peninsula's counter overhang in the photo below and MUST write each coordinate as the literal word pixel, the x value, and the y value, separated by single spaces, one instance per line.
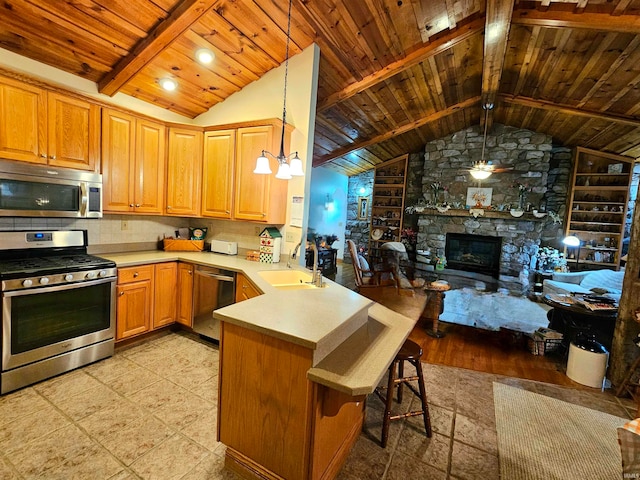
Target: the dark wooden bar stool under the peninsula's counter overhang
pixel 410 352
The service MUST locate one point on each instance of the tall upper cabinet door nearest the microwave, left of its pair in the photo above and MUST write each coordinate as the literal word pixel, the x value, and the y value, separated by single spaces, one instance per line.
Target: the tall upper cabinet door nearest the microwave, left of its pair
pixel 118 144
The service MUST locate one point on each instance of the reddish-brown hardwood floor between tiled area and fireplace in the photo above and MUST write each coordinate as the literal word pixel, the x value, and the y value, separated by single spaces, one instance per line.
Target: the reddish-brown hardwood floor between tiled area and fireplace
pixel 481 350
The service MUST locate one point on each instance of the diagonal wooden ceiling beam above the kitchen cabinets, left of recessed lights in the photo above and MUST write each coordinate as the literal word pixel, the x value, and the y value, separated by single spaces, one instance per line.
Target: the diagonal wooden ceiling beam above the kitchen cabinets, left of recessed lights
pixel 181 18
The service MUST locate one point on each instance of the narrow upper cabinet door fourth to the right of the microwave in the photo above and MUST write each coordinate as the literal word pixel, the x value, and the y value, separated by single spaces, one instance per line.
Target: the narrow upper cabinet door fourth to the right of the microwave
pixel 217 173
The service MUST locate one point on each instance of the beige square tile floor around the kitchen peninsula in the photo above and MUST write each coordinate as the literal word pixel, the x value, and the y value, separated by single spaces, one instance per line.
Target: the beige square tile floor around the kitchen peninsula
pixel 149 412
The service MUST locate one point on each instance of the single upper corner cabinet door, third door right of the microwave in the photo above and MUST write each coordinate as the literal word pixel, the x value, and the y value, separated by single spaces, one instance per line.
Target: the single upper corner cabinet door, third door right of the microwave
pixel 184 172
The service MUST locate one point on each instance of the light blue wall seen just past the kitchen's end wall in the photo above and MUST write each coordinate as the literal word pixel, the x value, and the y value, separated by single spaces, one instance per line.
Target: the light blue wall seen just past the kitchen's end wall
pixel 325 221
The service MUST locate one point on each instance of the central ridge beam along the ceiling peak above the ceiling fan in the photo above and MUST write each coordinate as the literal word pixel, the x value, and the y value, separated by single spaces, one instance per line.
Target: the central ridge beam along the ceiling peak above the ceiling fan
pixel 498 23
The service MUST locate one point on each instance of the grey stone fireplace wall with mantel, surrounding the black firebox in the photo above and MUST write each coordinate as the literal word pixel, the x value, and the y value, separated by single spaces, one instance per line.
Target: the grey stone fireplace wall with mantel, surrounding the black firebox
pixel 541 166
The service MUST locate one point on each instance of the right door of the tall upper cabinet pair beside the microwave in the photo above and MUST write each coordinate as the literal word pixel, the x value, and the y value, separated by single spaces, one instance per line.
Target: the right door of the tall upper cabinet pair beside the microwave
pixel 150 163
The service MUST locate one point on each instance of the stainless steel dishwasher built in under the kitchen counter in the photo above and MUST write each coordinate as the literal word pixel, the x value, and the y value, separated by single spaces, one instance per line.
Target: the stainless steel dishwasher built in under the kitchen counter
pixel 213 288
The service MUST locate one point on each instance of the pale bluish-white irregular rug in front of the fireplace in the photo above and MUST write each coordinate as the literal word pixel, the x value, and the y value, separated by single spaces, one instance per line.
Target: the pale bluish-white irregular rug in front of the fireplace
pixel 492 311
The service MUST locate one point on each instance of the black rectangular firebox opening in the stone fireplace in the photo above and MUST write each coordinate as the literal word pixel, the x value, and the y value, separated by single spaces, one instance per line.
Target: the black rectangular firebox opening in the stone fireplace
pixel 474 253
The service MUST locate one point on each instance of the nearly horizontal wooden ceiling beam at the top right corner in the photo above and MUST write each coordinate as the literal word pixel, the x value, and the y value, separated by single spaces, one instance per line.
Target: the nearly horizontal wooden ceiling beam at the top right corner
pixel 563 19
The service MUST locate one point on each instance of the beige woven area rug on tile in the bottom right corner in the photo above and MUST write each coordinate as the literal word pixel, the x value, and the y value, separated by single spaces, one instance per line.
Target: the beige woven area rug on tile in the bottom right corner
pixel 543 438
